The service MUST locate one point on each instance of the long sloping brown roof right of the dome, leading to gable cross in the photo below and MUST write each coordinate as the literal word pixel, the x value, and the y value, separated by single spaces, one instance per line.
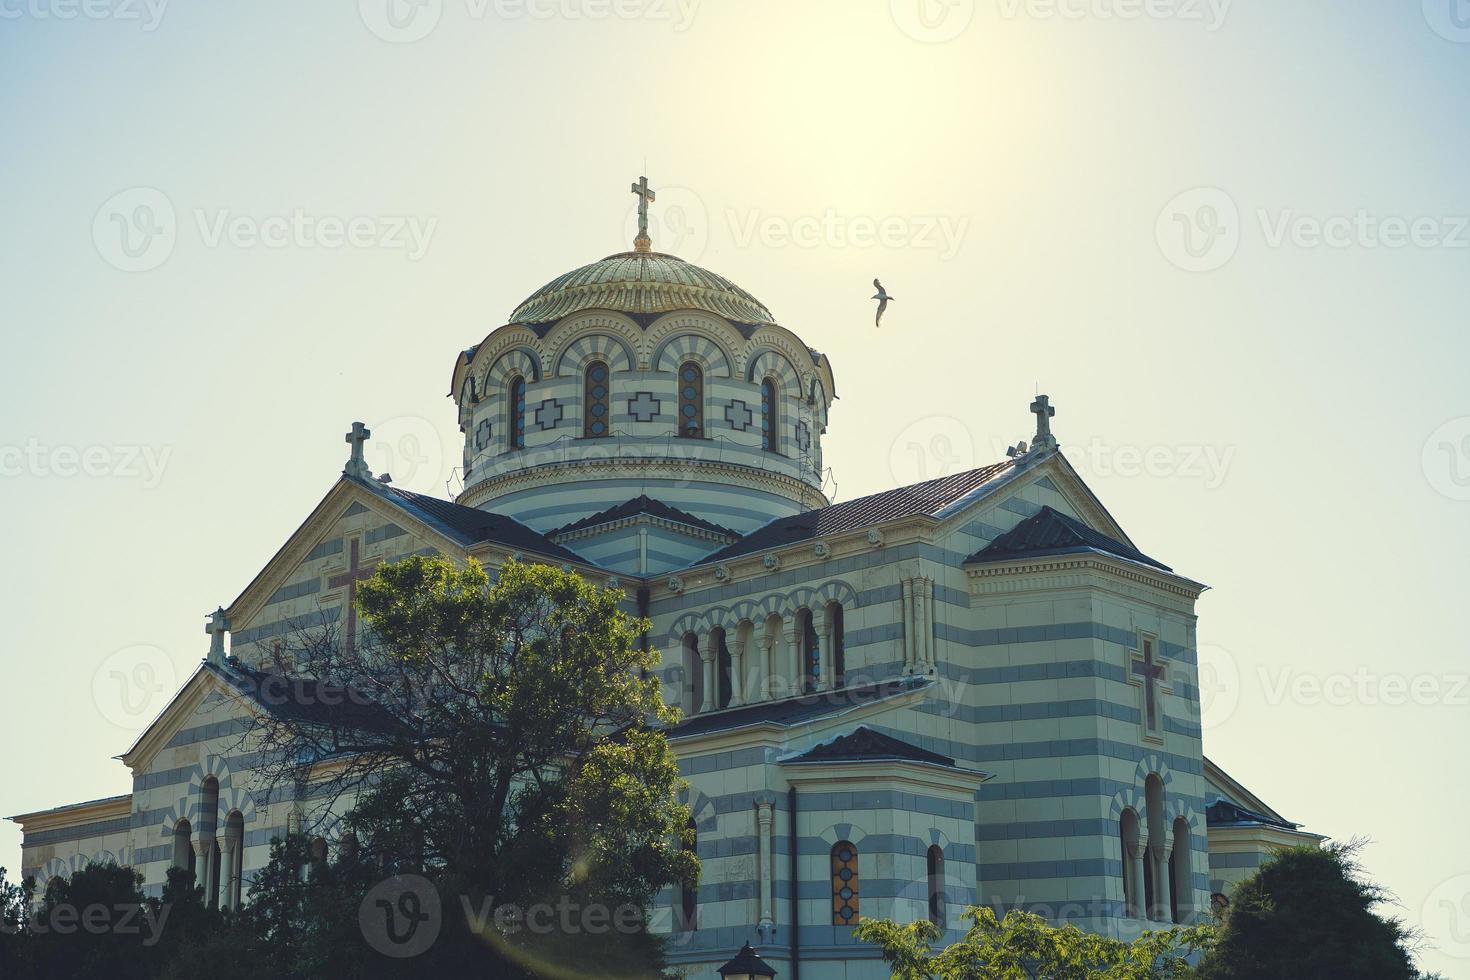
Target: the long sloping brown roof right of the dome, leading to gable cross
pixel 930 499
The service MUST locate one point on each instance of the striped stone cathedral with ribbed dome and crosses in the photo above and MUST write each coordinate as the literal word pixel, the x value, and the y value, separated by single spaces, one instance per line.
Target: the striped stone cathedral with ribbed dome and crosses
pixel 975 690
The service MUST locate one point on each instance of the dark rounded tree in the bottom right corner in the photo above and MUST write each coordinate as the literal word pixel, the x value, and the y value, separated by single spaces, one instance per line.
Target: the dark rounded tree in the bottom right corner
pixel 1311 913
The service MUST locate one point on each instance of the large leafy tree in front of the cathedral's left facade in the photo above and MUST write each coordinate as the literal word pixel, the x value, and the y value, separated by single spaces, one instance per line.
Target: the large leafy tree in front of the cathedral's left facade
pixel 501 741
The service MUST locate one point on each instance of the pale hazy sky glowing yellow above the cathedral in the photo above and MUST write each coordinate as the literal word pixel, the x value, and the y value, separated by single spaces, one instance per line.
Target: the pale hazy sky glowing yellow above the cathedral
pixel 1227 239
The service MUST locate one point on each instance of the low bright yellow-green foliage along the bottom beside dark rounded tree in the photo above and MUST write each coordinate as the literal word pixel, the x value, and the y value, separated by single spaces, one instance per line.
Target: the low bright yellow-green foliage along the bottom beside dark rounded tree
pixel 1027 947
